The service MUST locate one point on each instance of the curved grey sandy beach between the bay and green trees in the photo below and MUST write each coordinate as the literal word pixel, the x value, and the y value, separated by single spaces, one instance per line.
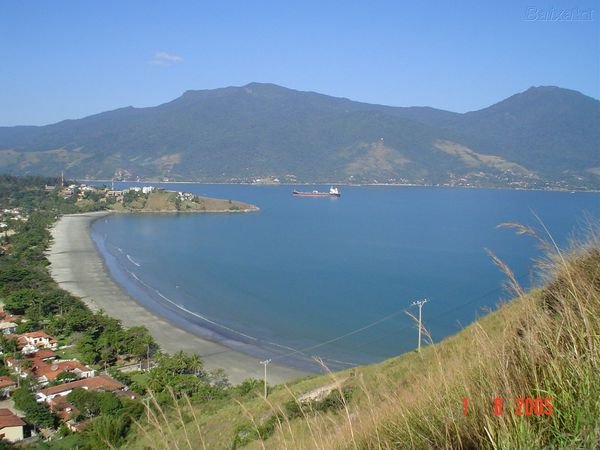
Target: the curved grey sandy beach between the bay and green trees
pixel 78 268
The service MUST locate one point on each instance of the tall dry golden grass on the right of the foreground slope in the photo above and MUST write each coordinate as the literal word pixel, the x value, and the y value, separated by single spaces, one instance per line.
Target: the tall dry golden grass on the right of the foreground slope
pixel 548 347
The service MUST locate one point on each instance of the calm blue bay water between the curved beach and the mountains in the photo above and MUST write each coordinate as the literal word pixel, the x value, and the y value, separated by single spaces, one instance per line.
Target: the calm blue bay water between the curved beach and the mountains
pixel 305 271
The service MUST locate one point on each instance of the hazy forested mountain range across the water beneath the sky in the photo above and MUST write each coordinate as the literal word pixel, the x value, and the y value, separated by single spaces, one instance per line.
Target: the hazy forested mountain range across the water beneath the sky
pixel 543 137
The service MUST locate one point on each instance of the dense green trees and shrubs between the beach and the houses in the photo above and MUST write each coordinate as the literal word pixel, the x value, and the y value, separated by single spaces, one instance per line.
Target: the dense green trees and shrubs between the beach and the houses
pixel 94 338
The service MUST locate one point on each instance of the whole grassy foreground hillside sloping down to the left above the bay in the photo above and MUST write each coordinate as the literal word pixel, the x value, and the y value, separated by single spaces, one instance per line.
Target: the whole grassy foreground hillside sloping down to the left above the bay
pixel 525 376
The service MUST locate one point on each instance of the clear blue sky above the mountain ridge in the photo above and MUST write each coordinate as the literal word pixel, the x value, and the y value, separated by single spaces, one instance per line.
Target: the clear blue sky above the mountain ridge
pixel 69 59
